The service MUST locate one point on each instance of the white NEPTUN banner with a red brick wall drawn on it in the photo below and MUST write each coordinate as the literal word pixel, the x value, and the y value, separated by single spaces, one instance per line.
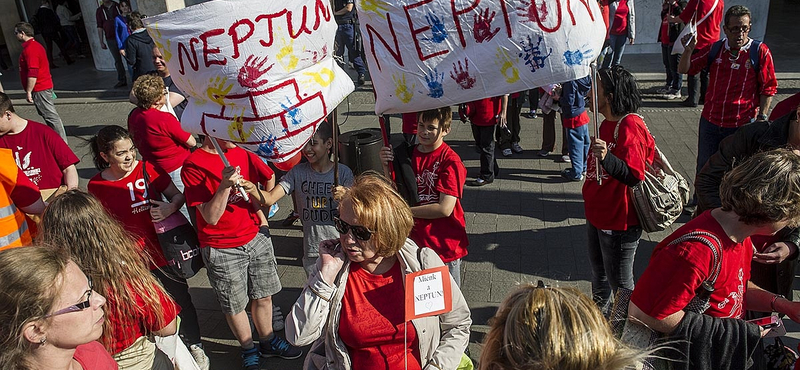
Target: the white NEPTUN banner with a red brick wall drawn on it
pixel 257 73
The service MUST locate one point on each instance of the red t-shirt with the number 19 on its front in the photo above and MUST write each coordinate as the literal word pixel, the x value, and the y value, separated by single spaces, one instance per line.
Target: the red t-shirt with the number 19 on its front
pixel 125 199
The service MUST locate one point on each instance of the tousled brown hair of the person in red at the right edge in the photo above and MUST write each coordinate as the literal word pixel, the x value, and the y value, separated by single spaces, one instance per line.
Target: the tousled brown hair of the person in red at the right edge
pixel 764 189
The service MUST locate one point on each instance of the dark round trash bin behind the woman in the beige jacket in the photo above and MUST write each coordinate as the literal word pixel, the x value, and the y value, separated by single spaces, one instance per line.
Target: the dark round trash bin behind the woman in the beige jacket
pixel 360 150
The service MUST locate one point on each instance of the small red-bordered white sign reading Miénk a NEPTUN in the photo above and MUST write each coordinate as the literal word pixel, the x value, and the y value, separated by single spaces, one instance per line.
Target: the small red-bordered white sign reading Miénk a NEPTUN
pixel 428 293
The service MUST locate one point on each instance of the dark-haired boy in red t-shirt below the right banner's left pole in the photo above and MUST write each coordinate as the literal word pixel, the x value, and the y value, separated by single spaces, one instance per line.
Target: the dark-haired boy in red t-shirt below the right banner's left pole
pixel 439 218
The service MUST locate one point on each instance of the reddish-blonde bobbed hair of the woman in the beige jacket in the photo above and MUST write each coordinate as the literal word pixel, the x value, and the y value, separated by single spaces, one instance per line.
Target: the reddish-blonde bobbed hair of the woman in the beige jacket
pixel 378 207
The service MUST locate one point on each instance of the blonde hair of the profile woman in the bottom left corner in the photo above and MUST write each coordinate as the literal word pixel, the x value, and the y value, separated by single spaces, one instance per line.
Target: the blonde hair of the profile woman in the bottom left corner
pixel 31 278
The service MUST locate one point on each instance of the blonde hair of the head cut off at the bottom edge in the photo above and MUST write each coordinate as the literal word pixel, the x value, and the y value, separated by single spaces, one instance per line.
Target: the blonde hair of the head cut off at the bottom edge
pixel 542 328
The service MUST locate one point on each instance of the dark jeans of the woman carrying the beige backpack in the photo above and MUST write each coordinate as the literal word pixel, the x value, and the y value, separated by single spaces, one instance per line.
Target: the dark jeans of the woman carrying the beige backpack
pixel 611 254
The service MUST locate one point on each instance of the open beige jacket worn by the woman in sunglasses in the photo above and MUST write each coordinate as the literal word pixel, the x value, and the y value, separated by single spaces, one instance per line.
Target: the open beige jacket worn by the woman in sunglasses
pixel 315 318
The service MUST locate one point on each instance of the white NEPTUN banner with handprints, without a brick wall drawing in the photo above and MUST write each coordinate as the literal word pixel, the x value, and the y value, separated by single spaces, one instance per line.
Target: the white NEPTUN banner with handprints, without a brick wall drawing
pixel 426 54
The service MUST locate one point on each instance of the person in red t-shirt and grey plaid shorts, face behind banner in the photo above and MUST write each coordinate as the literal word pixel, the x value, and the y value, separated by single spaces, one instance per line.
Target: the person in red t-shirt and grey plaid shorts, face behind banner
pixel 232 246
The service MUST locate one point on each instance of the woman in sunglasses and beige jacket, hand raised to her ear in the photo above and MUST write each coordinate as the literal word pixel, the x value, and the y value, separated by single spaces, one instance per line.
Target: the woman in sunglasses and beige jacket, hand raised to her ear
pixel 350 307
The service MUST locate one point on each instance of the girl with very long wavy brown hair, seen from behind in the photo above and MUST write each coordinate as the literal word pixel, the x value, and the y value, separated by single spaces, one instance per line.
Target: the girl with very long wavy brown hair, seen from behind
pixel 138 307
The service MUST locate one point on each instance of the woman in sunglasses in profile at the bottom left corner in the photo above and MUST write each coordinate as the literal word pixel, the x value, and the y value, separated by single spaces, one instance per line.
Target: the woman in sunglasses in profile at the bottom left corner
pixel 50 318
